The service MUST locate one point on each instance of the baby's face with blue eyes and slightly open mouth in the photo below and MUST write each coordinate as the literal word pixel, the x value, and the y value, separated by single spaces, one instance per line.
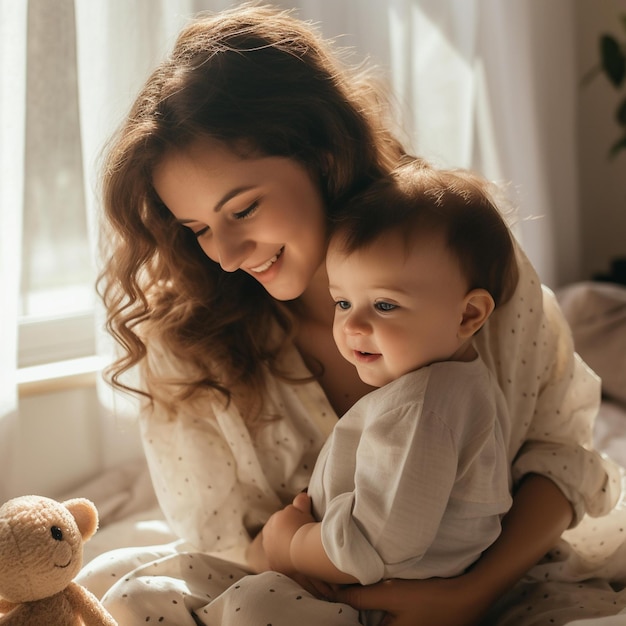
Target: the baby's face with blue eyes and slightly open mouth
pixel 396 310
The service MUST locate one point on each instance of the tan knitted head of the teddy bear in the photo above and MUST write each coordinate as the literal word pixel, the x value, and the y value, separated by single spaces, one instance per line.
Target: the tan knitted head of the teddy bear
pixel 41 545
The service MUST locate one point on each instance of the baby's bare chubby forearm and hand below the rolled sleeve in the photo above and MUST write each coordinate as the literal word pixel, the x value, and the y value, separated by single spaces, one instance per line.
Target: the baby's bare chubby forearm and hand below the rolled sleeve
pixel 292 540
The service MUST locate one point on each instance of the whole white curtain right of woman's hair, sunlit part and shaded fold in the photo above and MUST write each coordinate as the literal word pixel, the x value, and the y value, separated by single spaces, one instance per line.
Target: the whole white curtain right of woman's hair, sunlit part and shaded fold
pixel 491 85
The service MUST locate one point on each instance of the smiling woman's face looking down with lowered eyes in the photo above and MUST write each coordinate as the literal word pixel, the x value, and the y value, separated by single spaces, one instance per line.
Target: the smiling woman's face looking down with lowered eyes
pixel 262 215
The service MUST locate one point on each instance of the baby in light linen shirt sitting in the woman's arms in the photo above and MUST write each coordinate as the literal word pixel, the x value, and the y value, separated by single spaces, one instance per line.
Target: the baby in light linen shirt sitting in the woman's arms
pixel 414 479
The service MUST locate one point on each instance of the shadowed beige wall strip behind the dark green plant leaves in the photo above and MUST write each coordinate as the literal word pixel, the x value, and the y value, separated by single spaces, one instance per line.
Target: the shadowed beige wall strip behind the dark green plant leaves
pixel 602 183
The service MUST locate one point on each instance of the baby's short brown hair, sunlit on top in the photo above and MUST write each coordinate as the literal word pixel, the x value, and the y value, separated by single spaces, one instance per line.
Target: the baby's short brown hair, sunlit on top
pixel 417 198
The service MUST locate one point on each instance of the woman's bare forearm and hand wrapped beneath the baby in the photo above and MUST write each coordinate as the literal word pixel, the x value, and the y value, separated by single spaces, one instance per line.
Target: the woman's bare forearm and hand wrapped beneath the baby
pixel 540 513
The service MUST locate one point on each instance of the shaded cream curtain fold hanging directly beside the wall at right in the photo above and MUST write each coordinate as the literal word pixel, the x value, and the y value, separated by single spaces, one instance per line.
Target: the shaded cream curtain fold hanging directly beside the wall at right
pixel 528 51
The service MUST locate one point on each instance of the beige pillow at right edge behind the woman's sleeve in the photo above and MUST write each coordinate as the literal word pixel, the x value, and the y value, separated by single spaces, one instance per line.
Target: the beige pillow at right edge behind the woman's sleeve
pixel 596 313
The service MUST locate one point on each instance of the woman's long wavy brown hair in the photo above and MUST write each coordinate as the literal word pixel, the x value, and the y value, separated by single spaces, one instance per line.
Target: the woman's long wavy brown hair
pixel 259 79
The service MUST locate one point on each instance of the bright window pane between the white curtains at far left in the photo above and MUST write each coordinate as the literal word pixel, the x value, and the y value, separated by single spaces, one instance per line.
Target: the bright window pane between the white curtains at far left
pixel 57 288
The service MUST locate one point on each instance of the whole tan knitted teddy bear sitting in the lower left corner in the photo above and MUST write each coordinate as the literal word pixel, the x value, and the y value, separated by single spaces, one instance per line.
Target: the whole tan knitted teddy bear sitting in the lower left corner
pixel 41 551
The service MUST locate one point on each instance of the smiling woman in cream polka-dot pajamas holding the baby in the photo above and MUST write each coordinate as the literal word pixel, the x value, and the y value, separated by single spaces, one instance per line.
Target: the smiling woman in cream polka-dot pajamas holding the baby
pixel 217 193
